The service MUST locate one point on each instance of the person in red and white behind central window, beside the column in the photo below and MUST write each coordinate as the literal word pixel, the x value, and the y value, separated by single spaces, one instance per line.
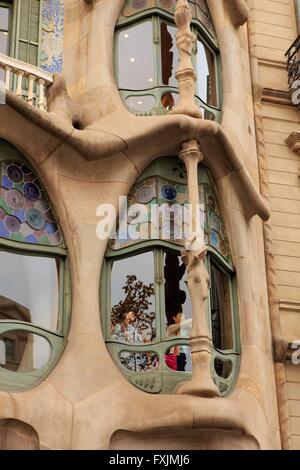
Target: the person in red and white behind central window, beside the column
pixel 176 359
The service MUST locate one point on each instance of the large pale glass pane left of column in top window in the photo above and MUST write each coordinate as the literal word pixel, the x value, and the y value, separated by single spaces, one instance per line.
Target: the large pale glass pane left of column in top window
pixel 135 47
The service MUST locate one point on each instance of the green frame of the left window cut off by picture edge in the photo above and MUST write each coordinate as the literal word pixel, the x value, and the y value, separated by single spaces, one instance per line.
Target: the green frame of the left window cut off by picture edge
pixel 57 338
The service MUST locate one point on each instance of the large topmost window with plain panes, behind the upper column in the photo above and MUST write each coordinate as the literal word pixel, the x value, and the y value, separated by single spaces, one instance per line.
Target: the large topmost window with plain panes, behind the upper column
pixel 147 58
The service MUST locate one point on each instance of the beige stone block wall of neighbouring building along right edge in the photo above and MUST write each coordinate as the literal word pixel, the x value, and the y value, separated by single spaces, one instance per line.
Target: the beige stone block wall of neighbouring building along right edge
pixel 275 30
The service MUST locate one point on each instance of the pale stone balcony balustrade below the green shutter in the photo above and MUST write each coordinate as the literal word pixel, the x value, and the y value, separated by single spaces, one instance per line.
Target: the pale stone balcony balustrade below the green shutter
pixel 25 80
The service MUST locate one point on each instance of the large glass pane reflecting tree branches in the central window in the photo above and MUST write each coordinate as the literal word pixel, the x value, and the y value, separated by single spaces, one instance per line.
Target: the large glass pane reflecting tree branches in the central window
pixel 133 299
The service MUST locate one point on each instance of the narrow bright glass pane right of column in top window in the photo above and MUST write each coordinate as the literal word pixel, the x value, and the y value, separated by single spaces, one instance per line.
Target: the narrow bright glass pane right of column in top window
pixel 206 77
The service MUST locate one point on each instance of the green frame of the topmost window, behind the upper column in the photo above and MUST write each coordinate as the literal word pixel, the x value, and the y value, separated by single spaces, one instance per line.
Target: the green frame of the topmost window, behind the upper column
pixel 157 91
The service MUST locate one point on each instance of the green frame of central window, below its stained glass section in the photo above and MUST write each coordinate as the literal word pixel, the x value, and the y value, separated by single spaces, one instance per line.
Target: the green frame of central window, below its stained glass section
pixel 163 380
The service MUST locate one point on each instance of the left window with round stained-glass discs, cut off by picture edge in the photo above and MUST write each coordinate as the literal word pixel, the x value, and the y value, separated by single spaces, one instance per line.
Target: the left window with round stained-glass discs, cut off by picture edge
pixel 34 281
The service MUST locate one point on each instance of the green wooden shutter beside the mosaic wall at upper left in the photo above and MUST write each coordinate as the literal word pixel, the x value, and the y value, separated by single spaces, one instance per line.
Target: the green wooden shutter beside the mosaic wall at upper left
pixel 28 31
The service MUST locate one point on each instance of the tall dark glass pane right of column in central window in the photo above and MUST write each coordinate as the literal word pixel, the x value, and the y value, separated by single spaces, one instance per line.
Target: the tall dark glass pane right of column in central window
pixel 220 309
